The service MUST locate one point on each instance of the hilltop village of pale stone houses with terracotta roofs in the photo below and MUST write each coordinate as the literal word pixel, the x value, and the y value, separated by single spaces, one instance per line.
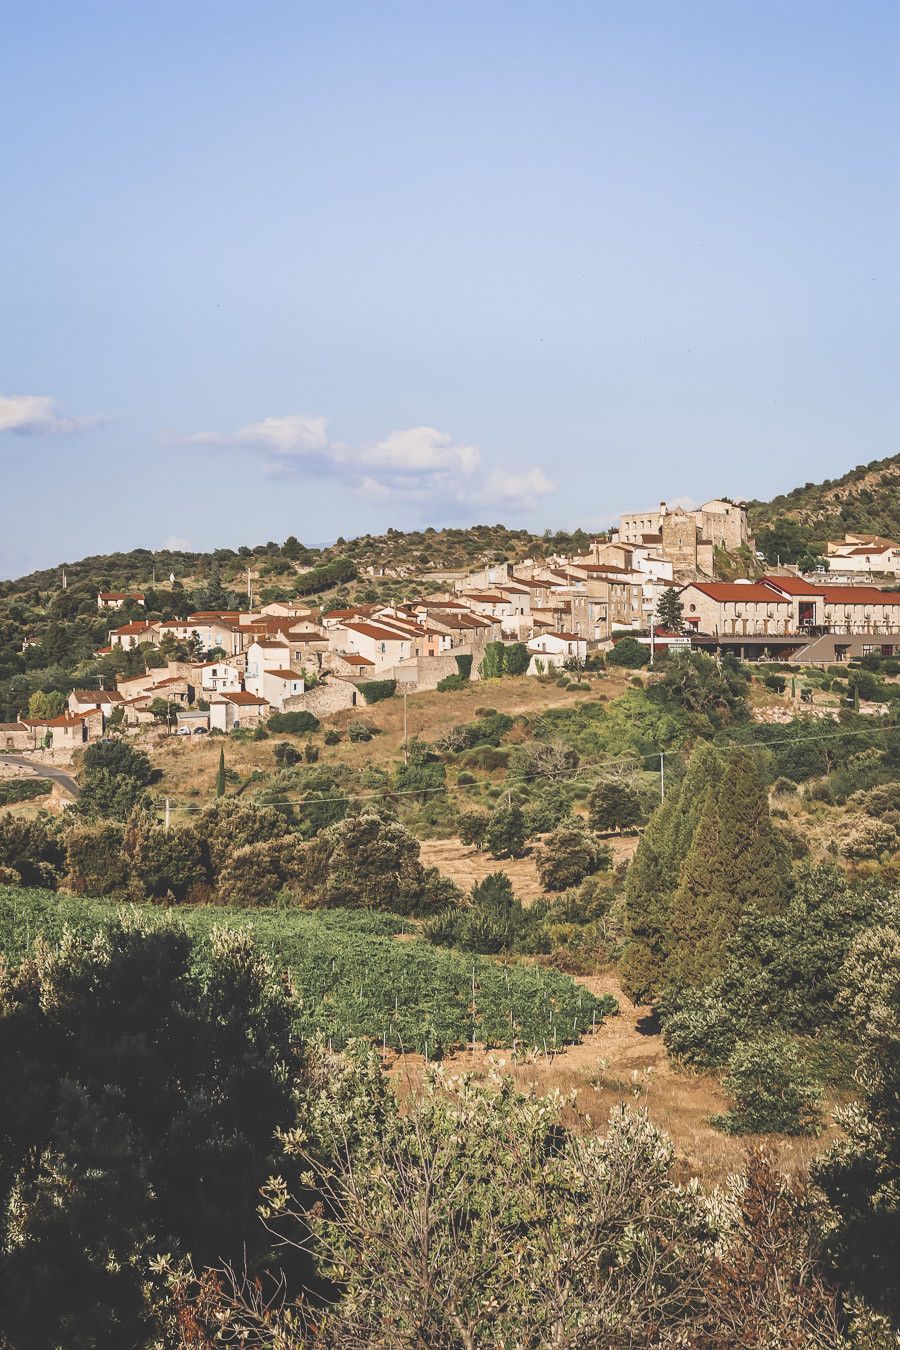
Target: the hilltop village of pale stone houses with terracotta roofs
pixel 652 581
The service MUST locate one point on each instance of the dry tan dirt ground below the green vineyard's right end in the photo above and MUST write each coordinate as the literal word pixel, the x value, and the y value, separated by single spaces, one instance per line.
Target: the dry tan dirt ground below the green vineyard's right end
pixel 625 1062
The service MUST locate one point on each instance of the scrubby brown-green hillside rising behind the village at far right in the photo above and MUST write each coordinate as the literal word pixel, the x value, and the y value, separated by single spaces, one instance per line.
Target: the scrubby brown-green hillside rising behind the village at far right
pixel 866 500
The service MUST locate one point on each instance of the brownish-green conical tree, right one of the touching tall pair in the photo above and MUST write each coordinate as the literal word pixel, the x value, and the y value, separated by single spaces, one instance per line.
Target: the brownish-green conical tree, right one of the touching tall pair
pixel 735 861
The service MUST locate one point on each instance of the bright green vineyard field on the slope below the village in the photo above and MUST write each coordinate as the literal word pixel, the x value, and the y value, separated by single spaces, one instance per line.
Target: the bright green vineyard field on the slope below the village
pixel 353 977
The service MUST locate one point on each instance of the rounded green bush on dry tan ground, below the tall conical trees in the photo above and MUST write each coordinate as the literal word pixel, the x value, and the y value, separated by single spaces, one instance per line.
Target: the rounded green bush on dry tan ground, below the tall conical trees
pixel 772 1089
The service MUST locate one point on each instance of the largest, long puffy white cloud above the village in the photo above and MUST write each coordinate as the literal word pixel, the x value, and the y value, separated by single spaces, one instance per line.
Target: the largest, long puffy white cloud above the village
pixel 418 466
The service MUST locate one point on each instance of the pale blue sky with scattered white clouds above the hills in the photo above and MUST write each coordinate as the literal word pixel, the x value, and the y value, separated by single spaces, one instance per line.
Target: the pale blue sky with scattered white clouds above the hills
pixel 319 269
